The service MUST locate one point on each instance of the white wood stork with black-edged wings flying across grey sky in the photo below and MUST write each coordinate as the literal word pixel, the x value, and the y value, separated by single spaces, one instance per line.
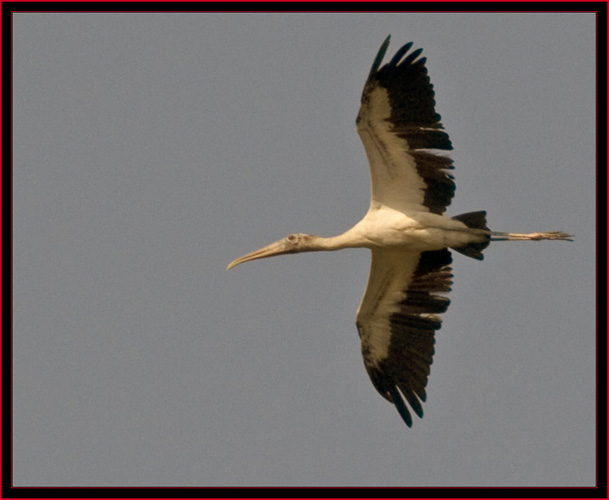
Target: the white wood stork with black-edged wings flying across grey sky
pixel 404 228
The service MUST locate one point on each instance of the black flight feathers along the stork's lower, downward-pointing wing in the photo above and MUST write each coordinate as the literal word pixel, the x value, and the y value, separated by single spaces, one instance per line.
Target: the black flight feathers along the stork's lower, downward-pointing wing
pixel 403 373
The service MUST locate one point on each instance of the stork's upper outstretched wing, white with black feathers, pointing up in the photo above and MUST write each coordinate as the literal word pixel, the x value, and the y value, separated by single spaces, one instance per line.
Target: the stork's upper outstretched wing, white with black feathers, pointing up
pixel 402 134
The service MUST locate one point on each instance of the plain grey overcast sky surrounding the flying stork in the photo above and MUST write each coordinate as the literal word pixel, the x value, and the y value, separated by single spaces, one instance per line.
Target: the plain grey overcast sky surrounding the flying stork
pixel 152 149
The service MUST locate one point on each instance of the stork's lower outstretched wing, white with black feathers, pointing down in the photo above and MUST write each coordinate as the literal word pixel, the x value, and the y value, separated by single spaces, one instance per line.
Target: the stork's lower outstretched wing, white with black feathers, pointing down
pixel 397 320
